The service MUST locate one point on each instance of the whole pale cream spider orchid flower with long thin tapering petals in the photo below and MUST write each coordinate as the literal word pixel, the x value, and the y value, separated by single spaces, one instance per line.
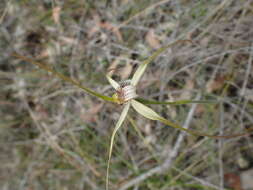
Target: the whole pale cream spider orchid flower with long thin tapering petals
pixel 125 94
